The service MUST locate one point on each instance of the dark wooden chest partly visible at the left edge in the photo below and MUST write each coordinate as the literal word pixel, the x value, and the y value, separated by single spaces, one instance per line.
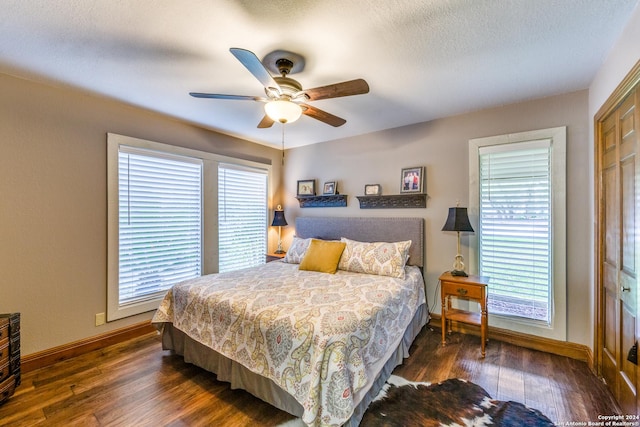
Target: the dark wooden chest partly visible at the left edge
pixel 9 354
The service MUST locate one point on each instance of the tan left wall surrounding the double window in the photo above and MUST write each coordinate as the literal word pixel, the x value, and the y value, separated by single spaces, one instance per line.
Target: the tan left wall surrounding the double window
pixel 53 202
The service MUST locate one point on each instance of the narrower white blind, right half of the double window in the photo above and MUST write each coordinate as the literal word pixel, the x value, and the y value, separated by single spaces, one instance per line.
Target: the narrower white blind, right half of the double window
pixel 242 217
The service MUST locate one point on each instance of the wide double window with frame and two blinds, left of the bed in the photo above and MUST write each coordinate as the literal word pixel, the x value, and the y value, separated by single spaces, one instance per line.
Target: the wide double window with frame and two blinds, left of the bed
pixel 163 219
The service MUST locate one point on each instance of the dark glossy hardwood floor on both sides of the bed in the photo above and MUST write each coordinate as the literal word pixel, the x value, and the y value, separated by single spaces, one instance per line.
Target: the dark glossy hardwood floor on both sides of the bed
pixel 137 384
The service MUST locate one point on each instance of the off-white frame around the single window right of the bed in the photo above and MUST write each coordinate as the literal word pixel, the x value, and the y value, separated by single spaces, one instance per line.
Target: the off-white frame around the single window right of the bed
pixel 557 328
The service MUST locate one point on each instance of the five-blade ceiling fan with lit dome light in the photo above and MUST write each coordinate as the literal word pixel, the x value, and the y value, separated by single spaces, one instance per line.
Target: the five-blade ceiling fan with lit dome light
pixel 285 98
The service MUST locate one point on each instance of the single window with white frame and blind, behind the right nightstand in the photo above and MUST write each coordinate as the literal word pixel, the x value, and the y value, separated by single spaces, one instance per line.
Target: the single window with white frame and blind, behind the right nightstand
pixel 517 196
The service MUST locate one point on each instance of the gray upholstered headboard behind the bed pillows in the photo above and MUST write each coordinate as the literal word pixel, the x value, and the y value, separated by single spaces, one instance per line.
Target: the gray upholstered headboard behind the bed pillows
pixel 367 230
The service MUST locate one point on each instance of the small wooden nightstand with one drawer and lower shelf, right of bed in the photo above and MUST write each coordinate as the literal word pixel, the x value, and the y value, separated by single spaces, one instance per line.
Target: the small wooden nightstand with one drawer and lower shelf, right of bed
pixel 473 288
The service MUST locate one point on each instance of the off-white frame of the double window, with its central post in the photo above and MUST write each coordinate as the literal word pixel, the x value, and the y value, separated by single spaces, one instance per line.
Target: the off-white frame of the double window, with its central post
pixel 210 162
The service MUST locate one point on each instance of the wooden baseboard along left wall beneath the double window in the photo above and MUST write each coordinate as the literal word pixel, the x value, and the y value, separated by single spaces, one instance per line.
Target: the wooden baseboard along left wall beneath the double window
pixel 48 357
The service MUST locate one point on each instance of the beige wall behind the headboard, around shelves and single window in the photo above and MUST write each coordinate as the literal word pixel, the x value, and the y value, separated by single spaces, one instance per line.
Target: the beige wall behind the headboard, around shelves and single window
pixel 442 146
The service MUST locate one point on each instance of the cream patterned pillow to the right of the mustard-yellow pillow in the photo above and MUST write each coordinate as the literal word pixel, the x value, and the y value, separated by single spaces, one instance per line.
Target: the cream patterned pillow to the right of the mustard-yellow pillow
pixel 381 258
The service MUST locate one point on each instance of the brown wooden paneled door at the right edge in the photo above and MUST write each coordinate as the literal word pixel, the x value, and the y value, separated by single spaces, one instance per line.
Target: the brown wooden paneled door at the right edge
pixel 617 248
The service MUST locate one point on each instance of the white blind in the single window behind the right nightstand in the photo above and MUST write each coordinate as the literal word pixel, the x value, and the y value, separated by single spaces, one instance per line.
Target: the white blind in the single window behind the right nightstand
pixel 515 236
